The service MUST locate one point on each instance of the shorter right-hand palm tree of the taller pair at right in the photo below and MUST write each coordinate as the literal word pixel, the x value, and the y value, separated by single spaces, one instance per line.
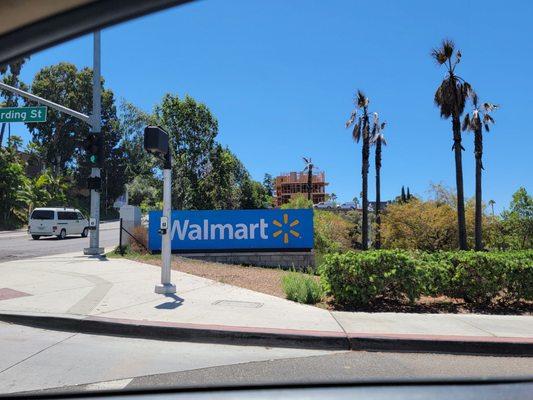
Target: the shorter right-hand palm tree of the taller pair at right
pixel 480 118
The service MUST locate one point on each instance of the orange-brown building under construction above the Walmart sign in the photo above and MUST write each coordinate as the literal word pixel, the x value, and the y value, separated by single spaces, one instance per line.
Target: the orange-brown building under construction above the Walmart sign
pixel 291 184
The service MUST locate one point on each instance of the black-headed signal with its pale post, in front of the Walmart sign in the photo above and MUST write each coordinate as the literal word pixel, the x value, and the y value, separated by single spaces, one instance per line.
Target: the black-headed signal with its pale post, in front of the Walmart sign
pixel 156 142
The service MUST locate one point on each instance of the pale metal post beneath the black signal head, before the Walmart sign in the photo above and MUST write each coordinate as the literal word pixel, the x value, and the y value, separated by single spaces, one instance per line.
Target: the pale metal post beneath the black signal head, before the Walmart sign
pixel 166 286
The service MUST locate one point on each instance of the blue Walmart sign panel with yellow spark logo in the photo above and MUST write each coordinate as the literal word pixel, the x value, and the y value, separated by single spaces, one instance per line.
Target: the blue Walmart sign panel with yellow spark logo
pixel 235 230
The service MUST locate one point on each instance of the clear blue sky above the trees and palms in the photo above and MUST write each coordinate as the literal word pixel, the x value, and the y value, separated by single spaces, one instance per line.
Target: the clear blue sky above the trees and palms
pixel 280 78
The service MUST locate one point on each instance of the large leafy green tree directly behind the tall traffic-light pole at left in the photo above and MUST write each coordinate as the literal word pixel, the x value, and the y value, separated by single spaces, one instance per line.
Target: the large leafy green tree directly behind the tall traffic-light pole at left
pixel 59 140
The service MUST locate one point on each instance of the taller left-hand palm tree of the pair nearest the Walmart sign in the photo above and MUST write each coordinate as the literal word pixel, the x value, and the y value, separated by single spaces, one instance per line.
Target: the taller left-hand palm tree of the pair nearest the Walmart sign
pixel 361 129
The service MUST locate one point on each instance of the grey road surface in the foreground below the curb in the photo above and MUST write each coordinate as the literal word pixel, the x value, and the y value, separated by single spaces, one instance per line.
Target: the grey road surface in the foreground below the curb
pixel 43 360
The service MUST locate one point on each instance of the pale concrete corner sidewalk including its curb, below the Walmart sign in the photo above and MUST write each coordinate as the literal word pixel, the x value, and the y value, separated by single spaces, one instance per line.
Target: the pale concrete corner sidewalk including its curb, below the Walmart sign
pixel 115 296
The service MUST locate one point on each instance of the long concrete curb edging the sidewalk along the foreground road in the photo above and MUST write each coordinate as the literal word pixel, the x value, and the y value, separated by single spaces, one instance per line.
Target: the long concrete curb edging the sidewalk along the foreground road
pixel 270 337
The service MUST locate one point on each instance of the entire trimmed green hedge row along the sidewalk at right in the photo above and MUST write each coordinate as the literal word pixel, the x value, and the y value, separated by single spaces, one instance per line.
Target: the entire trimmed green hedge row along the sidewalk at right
pixel 359 278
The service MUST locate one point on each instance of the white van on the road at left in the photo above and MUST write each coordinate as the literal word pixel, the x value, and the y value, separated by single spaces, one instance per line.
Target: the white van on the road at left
pixel 60 222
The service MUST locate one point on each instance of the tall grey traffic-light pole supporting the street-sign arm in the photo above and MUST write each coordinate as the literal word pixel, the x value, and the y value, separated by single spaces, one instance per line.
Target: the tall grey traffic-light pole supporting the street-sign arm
pixel 96 125
